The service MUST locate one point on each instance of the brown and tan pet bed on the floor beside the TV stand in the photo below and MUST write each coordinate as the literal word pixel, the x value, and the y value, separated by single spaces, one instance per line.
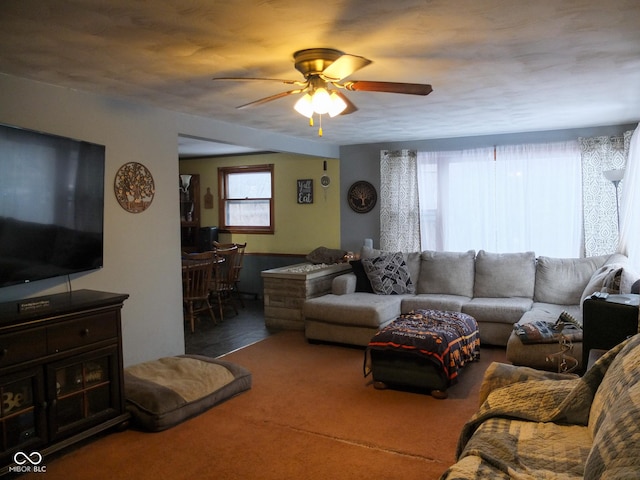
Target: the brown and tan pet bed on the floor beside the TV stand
pixel 165 392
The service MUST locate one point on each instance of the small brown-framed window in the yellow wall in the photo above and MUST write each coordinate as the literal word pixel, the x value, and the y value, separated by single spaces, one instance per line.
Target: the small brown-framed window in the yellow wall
pixel 246 199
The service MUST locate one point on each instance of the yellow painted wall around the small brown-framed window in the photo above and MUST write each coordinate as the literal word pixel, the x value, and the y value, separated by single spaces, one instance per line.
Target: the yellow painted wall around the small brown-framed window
pixel 299 228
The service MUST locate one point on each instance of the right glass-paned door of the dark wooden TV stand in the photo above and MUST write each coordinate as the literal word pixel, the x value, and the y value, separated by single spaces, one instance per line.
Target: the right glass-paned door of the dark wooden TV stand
pixel 84 391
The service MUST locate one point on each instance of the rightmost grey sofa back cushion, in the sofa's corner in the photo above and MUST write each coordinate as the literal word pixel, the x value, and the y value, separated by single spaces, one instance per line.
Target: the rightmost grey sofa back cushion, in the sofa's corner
pixel 563 280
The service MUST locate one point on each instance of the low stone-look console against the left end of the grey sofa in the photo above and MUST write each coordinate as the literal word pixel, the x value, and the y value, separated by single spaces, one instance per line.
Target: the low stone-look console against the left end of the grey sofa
pixel 286 289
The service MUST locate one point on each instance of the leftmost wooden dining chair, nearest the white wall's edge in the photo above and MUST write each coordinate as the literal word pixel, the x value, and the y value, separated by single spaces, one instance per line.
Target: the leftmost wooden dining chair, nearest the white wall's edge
pixel 197 272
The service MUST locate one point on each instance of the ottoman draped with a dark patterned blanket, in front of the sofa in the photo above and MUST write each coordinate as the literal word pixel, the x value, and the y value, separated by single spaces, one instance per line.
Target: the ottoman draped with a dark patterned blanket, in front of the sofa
pixel 424 349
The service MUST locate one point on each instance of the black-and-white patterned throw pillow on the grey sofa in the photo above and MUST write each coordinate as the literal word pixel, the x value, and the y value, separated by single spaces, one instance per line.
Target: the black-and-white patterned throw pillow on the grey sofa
pixel 388 274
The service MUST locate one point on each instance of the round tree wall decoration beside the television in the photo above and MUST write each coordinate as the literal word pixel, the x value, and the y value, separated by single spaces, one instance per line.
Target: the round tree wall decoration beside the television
pixel 134 187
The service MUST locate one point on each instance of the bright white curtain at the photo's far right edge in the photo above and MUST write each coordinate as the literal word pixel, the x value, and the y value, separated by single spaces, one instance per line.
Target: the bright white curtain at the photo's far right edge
pixel 630 204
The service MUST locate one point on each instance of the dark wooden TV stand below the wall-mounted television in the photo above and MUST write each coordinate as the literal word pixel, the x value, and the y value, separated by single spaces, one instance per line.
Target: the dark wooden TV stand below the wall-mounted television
pixel 61 377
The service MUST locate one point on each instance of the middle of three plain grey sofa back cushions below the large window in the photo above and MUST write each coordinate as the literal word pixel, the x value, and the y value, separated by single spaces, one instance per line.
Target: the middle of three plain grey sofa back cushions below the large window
pixel 502 275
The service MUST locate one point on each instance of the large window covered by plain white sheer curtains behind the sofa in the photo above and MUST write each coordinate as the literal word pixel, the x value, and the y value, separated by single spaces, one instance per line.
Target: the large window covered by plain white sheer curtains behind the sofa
pixel 504 199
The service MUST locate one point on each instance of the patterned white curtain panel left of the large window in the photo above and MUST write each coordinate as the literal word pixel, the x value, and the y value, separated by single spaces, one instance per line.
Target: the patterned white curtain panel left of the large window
pixel 399 211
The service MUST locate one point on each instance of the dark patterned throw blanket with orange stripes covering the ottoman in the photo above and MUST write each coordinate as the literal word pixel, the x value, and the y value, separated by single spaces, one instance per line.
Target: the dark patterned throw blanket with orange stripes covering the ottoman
pixel 449 339
